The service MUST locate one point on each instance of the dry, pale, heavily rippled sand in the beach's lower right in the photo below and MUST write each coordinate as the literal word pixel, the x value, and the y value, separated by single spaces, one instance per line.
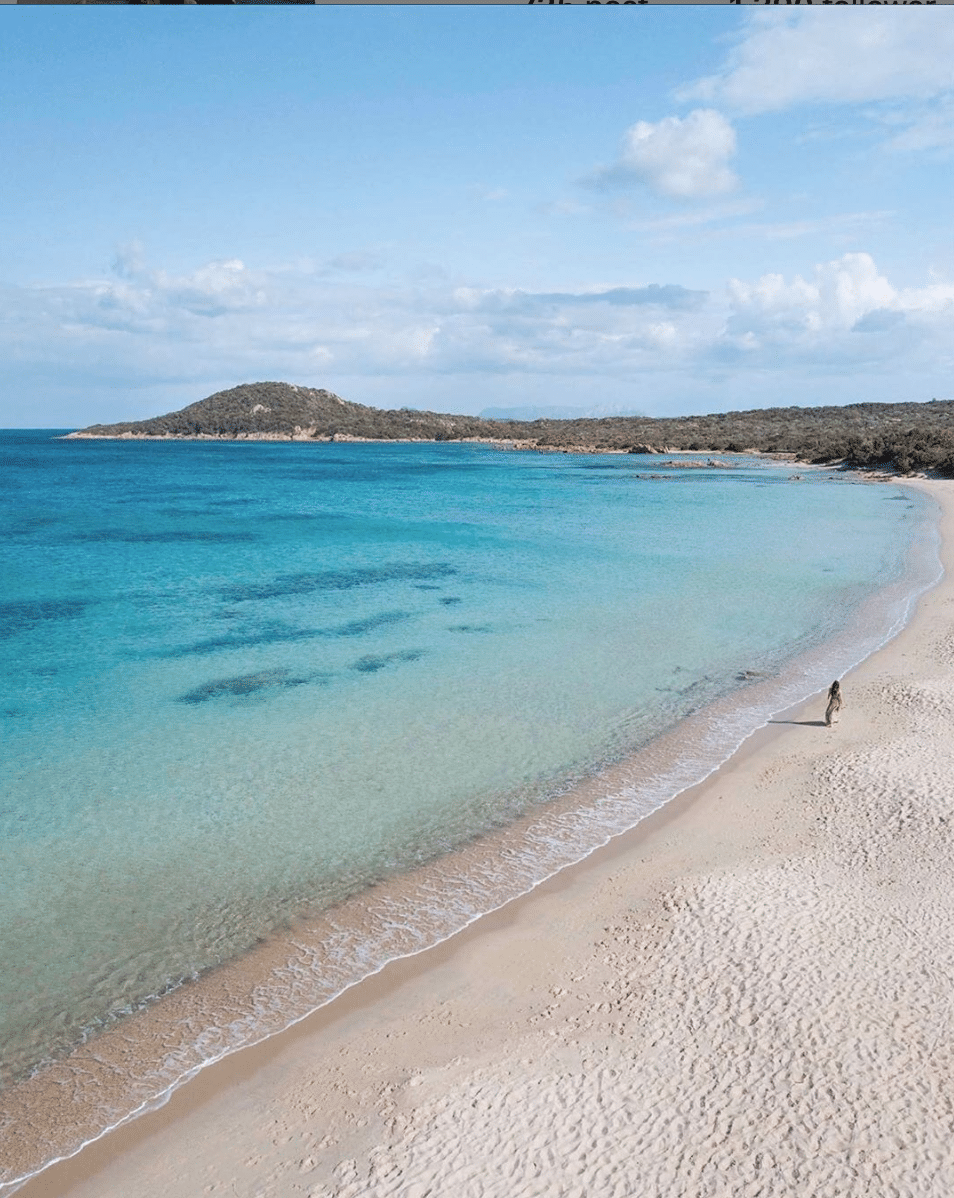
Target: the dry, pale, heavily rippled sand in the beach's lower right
pixel 784 1030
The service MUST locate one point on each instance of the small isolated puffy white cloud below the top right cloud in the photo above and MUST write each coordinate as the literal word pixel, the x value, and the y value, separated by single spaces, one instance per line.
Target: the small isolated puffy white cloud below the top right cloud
pixel 678 156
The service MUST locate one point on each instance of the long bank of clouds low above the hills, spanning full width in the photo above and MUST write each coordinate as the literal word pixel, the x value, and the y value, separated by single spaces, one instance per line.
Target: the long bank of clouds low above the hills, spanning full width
pixel 226 322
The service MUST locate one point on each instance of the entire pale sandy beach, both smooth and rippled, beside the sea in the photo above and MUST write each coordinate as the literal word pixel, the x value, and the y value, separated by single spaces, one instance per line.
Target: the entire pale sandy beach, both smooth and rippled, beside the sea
pixel 750 995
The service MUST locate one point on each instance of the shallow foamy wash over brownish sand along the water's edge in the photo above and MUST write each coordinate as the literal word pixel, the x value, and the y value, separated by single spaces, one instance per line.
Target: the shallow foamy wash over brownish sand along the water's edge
pixel 256 996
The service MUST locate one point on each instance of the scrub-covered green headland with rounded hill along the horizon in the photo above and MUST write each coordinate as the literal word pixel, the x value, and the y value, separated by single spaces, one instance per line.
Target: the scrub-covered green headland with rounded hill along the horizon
pixel 901 438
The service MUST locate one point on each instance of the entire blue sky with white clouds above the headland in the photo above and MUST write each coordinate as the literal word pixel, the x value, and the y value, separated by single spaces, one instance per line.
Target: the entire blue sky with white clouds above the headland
pixel 662 210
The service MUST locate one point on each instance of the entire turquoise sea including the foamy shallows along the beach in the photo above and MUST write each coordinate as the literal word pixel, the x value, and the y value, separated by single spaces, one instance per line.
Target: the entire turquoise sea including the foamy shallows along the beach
pixel 277 713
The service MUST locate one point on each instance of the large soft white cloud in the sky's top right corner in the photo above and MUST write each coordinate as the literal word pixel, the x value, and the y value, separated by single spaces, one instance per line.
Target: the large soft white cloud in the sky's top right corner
pixel 818 56
